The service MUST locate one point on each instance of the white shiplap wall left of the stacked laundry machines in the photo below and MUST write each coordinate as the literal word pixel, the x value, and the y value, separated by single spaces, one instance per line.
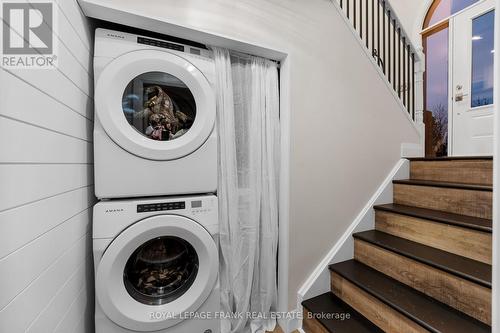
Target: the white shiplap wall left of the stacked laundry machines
pixel 46 187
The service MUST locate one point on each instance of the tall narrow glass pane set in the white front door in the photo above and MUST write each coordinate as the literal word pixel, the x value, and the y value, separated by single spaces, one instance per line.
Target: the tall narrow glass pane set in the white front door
pixel 483 53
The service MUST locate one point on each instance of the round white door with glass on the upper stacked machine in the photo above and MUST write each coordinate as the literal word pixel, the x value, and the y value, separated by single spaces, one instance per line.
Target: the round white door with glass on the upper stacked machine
pixel 155 104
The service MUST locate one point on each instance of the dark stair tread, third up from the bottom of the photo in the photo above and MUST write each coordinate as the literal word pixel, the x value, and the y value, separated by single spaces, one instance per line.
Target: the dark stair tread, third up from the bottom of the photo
pixel 465 268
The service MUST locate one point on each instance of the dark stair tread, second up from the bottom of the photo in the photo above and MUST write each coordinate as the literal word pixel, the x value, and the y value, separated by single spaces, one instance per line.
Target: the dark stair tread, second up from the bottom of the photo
pixel 426 311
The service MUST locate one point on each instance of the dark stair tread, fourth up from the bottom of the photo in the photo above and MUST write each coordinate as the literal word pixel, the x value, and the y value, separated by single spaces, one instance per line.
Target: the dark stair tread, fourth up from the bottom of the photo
pixel 470 222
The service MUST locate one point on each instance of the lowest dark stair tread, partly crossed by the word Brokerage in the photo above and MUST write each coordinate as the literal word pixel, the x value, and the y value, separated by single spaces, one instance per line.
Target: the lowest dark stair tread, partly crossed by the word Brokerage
pixel 330 304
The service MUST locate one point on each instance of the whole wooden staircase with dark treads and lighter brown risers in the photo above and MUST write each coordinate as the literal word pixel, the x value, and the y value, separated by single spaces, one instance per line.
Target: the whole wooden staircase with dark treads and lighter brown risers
pixel 427 265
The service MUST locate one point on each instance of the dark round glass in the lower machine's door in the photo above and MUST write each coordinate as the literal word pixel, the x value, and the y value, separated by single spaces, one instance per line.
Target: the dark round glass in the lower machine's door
pixel 161 270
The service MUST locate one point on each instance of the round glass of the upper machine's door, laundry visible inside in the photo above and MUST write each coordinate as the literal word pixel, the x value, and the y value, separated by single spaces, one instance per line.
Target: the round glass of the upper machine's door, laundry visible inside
pixel 159 106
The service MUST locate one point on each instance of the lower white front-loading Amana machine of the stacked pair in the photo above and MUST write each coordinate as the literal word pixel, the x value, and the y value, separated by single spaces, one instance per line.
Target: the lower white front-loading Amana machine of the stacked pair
pixel 156 265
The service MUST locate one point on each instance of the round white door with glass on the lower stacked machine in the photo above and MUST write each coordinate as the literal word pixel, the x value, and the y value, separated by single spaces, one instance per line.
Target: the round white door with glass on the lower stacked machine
pixel 156 270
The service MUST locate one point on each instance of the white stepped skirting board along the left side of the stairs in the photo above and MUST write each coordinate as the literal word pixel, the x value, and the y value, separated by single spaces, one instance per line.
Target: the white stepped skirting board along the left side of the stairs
pixel 319 281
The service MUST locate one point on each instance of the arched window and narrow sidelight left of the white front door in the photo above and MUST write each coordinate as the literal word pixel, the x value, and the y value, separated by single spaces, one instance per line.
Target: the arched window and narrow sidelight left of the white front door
pixel 435 39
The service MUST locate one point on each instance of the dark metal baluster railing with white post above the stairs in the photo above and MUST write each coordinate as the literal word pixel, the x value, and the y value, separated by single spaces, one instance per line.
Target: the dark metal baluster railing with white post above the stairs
pixel 385 38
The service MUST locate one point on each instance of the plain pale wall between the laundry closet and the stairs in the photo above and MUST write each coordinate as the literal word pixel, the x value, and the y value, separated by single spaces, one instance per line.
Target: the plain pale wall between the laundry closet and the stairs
pixel 346 129
